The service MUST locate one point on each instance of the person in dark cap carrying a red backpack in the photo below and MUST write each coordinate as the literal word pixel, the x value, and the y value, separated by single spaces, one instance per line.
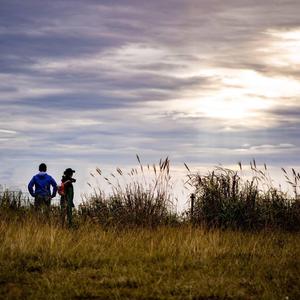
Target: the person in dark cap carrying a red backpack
pixel 66 200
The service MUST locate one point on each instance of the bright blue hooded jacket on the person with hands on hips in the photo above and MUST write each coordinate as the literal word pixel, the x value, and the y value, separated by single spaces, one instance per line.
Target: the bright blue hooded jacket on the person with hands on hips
pixel 42 183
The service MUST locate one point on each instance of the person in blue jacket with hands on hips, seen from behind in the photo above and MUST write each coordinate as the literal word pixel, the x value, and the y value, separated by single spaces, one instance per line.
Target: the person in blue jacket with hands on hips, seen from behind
pixel 39 187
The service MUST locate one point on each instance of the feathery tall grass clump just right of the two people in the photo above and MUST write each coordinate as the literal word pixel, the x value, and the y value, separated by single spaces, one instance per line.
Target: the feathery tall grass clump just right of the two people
pixel 140 197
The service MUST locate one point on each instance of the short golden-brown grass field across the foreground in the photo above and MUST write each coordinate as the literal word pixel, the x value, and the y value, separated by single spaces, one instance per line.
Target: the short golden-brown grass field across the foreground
pixel 44 261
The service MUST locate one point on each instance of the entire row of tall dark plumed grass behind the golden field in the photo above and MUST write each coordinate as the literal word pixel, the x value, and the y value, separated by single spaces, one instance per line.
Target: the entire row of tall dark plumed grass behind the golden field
pixel 223 198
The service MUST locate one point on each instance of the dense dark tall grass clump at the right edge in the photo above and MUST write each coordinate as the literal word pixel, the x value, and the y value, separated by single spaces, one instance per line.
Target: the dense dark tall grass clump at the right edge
pixel 222 198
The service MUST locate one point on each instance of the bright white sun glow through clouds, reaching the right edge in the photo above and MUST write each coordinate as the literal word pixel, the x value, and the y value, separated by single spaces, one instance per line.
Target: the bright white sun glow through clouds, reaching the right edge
pixel 245 96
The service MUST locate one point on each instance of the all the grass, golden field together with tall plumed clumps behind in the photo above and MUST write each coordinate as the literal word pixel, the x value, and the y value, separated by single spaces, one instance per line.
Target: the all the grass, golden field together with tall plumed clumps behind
pixel 121 248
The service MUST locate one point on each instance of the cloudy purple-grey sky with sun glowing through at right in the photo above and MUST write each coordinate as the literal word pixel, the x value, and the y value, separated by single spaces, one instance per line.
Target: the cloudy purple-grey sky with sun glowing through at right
pixel 88 84
